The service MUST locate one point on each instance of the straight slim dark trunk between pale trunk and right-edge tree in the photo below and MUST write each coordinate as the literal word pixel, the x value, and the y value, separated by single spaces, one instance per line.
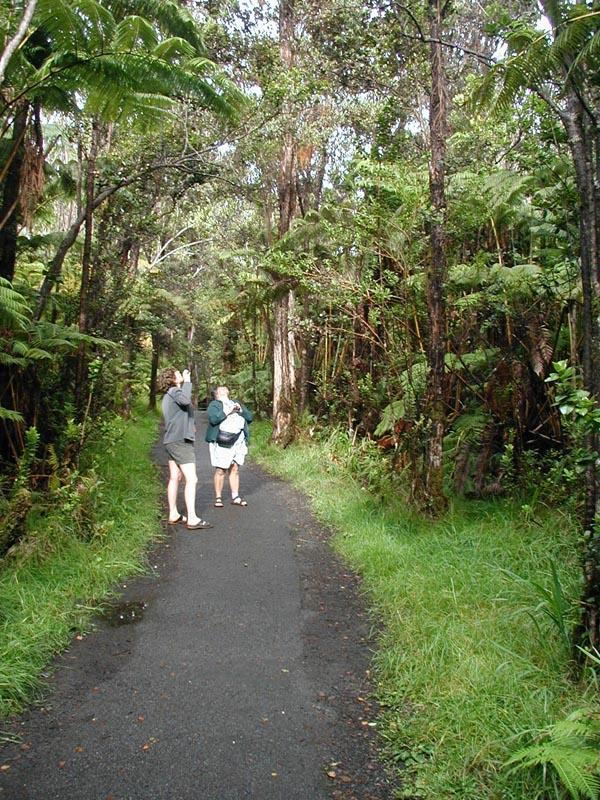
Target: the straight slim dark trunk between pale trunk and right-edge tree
pixel 436 269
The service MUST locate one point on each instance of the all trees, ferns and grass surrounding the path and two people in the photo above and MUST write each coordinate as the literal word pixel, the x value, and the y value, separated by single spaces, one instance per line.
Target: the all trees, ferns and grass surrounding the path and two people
pixel 377 223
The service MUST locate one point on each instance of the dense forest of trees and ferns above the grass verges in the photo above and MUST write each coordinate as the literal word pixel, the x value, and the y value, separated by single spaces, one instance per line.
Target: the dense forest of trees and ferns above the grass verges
pixel 362 215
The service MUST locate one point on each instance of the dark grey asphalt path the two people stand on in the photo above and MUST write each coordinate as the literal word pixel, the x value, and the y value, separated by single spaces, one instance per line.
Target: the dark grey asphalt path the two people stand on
pixel 237 668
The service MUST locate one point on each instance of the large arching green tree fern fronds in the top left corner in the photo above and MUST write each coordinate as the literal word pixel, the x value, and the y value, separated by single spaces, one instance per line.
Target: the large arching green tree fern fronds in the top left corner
pixel 120 61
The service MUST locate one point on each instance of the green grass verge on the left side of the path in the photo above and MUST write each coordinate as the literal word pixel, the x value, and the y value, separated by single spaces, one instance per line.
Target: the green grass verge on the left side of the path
pixel 51 583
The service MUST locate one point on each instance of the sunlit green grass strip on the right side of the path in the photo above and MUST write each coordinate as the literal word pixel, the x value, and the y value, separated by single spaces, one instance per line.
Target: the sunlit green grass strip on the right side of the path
pixel 473 657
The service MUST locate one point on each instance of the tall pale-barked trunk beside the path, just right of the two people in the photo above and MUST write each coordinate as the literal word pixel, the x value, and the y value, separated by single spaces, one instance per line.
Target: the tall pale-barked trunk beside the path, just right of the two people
pixel 284 378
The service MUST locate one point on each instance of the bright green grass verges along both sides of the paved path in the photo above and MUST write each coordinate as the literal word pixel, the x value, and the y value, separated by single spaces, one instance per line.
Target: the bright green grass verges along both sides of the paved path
pixel 473 663
